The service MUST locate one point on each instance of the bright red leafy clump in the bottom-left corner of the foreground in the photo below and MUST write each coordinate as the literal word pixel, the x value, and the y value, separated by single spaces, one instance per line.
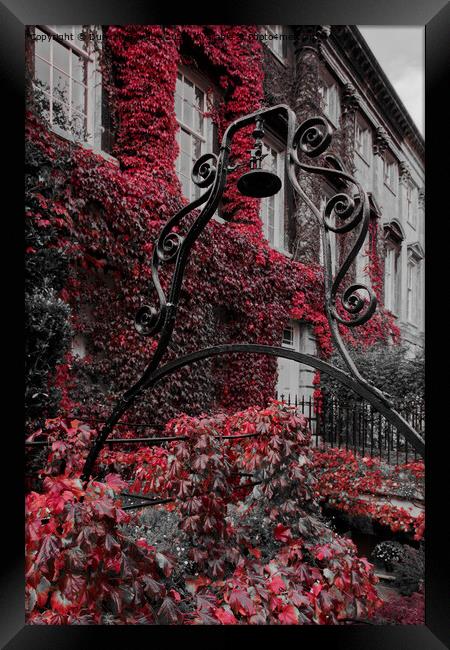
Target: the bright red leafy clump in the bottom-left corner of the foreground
pixel 81 568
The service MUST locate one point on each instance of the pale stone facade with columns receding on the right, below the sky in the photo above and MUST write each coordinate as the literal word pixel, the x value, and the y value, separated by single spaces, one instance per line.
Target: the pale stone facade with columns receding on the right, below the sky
pixel 331 70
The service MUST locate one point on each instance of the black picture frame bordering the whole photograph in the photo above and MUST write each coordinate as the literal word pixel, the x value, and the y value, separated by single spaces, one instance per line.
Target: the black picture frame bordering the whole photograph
pixel 435 16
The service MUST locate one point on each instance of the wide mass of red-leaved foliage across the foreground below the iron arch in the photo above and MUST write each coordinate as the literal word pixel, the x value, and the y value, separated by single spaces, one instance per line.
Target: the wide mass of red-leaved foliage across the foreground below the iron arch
pixel 82 566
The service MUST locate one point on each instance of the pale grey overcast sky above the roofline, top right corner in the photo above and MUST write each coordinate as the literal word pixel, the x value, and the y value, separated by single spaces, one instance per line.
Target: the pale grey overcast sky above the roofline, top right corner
pixel 400 52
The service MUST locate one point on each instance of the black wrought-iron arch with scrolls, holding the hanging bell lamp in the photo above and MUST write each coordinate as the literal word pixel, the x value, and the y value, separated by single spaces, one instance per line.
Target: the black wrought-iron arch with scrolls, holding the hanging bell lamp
pixel 349 210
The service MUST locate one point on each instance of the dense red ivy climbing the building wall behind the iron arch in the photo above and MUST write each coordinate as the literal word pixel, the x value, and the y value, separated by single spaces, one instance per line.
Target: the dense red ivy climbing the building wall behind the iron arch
pixel 108 218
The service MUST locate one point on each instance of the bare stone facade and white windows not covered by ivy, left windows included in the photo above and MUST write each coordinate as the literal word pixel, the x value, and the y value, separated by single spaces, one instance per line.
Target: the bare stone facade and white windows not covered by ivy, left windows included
pixel 315 69
